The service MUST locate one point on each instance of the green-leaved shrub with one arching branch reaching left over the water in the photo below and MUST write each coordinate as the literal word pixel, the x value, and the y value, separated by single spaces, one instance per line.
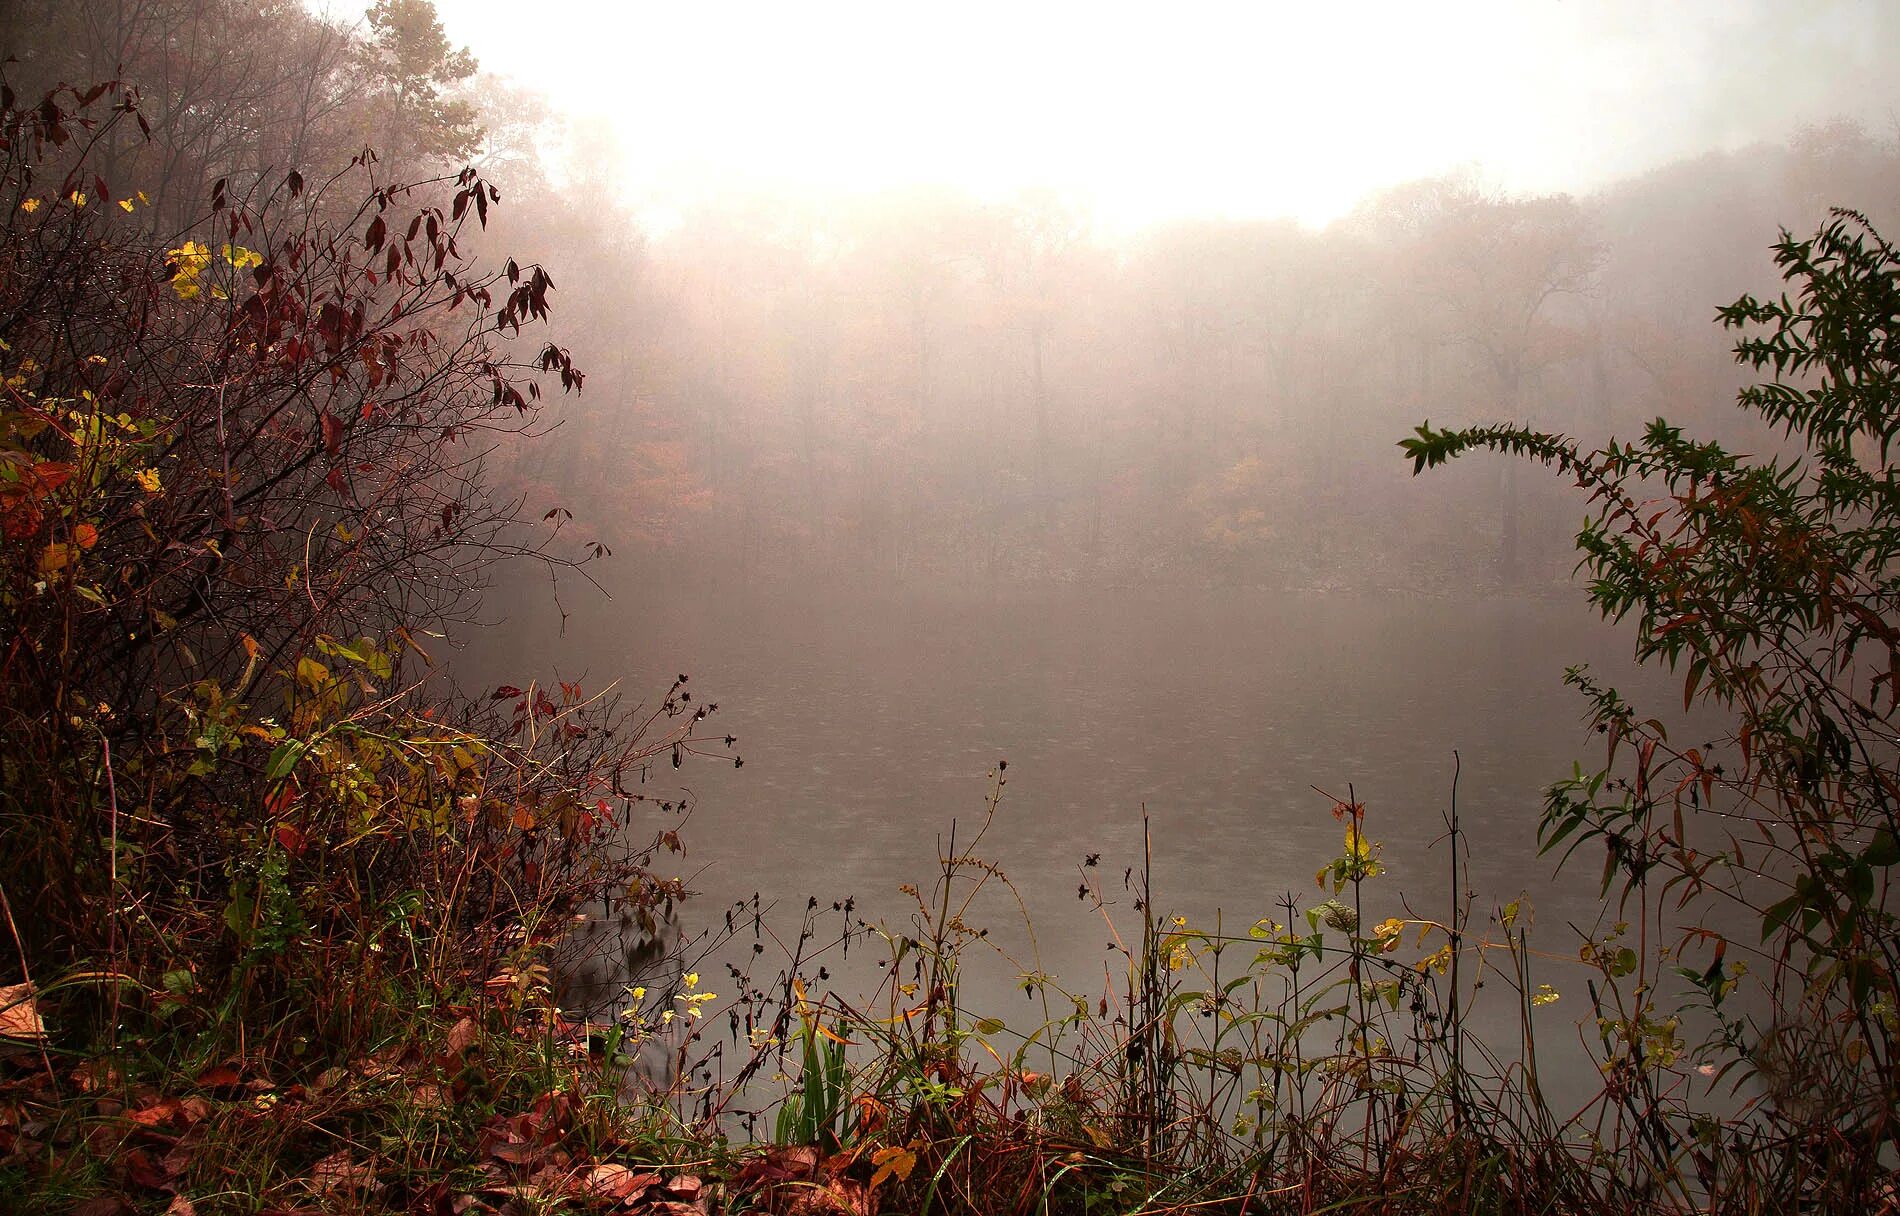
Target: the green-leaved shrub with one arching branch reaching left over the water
pixel 1770 586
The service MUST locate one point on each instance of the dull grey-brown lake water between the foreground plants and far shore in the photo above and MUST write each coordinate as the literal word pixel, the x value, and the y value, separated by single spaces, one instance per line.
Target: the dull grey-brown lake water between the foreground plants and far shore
pixel 869 727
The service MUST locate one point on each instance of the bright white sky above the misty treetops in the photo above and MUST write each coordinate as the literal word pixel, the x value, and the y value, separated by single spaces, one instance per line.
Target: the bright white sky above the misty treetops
pixel 1169 109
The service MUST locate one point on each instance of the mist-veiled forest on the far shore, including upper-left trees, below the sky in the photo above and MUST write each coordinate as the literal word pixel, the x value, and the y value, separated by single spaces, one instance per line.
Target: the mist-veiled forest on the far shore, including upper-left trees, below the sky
pixel 934 389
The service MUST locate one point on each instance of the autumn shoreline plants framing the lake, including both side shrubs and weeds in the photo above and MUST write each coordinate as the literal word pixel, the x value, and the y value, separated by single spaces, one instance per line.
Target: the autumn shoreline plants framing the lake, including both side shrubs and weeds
pixel 286 922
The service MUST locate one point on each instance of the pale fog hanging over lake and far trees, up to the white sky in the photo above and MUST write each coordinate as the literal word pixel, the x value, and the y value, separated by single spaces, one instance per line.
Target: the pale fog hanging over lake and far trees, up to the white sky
pixel 976 383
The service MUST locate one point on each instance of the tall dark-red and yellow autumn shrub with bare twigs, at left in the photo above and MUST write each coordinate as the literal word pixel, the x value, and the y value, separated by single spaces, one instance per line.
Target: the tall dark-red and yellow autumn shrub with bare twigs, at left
pixel 242 485
